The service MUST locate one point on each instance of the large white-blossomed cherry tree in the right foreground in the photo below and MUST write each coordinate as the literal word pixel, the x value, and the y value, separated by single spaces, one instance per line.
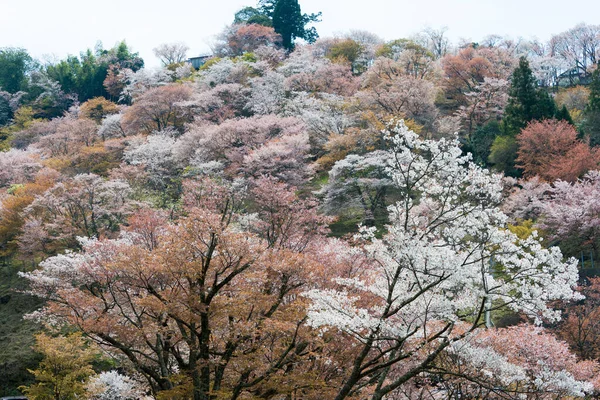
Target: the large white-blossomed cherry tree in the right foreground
pixel 445 259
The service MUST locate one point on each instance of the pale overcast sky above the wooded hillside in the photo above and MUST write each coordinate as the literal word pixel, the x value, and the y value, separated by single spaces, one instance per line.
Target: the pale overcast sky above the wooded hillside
pixel 57 28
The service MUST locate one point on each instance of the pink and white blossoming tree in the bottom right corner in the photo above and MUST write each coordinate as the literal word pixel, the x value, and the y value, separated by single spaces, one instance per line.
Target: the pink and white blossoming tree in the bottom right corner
pixel 518 360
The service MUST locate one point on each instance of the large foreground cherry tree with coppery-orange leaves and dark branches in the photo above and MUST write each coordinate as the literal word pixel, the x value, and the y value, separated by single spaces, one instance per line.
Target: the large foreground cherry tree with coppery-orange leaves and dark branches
pixel 211 310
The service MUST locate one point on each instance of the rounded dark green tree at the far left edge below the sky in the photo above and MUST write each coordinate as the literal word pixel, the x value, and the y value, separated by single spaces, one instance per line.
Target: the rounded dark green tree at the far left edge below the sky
pixel 15 64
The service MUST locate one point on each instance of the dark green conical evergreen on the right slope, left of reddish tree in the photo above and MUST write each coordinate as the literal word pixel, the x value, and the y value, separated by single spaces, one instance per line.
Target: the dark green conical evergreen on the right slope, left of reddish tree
pixel 526 101
